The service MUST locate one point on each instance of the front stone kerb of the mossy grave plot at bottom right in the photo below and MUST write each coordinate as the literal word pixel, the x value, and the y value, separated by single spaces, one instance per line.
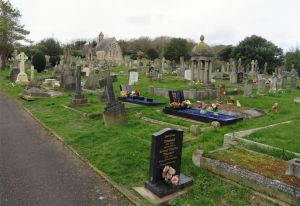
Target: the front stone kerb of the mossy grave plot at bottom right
pixel 259 183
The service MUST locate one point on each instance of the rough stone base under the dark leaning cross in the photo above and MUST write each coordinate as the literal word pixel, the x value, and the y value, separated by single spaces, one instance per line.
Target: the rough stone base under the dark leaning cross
pixel 115 114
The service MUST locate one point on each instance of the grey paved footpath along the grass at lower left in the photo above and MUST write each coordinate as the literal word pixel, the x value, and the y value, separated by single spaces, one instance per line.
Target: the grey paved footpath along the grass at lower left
pixel 37 170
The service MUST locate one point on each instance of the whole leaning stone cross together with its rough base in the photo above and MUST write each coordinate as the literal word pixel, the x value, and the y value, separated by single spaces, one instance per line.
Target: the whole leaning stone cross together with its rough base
pixel 114 112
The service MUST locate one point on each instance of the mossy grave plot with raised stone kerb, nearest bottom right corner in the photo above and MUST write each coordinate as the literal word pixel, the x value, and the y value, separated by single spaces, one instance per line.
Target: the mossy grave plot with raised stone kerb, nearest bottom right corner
pixel 260 172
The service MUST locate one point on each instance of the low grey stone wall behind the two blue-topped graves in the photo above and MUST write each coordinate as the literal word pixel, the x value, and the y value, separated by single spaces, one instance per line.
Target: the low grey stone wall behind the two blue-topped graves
pixel 192 93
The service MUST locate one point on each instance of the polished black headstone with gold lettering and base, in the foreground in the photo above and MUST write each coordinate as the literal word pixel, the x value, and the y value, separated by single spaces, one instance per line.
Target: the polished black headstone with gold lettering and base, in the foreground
pixel 166 151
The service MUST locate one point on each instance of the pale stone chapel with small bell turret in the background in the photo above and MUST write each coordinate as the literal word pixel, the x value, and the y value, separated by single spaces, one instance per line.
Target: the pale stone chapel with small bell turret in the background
pixel 107 49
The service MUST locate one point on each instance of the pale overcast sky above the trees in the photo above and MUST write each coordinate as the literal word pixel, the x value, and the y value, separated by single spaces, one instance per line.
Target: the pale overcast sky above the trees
pixel 221 21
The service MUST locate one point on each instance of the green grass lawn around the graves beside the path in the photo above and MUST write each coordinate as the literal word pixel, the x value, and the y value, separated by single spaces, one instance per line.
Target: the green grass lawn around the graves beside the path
pixel 123 152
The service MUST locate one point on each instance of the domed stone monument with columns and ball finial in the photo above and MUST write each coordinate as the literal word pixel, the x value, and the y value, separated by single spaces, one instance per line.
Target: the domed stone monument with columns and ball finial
pixel 201 69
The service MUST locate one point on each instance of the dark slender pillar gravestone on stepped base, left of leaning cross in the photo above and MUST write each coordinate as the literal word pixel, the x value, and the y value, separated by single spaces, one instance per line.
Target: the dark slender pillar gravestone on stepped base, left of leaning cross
pixel 78 98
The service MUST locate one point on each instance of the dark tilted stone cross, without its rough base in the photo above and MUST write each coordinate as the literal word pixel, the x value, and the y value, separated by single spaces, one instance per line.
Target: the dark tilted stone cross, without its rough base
pixel 107 82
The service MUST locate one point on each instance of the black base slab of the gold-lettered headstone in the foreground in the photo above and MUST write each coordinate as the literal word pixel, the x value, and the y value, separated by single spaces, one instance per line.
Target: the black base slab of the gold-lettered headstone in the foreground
pixel 162 189
